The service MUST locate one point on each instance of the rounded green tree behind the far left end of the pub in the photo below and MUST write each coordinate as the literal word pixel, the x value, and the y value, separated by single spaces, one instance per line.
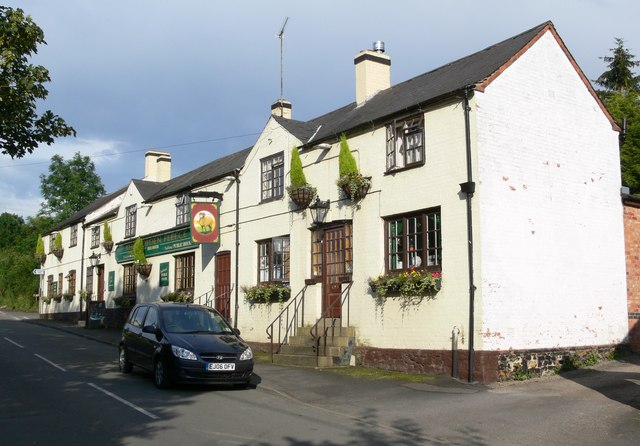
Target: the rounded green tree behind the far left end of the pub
pixel 69 187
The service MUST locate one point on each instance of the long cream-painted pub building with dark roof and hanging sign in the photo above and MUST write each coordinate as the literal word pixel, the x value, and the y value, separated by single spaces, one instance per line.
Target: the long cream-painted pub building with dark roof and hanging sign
pixel 497 174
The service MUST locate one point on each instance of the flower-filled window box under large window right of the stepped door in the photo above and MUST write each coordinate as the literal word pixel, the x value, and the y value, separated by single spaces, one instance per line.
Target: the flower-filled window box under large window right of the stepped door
pixel 408 284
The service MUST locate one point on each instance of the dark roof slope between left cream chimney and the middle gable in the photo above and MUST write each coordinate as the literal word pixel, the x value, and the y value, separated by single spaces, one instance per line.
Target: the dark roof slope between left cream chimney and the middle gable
pixel 202 175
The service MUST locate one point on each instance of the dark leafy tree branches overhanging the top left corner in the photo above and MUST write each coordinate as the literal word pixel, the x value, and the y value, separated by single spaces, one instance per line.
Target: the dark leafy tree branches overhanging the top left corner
pixel 21 86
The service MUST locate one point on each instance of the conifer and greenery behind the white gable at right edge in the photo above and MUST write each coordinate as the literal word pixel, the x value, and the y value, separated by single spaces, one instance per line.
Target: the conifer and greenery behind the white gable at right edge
pixel 621 95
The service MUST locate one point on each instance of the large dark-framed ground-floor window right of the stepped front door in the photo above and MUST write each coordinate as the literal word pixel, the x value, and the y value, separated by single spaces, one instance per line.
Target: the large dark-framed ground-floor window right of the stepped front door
pixel 414 241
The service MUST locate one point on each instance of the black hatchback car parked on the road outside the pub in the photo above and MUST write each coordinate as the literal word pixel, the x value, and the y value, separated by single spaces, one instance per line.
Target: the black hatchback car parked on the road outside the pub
pixel 184 343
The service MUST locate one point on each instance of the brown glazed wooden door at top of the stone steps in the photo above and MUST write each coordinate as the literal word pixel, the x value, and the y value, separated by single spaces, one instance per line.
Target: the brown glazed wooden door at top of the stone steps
pixel 337 266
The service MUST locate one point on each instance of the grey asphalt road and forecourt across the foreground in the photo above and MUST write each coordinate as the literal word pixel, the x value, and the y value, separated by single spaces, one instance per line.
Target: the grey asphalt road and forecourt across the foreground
pixel 58 388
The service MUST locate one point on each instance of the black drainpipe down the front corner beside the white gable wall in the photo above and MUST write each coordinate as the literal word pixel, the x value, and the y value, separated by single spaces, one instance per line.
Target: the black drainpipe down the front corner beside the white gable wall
pixel 468 189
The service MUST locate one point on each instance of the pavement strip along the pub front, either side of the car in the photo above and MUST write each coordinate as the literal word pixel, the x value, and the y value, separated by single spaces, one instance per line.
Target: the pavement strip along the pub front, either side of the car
pixel 303 384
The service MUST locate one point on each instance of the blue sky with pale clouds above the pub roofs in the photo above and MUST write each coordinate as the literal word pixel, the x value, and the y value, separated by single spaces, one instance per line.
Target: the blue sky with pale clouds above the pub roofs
pixel 197 78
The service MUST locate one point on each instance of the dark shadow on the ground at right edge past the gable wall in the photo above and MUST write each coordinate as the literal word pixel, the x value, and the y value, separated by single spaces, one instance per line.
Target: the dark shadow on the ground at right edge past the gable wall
pixel 623 387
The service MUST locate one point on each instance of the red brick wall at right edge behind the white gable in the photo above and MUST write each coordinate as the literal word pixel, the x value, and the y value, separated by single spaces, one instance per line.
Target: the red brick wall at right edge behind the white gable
pixel 632 251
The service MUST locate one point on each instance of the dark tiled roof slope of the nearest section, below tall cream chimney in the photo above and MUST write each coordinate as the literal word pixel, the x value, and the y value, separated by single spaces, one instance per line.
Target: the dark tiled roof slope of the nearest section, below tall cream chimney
pixel 428 87
